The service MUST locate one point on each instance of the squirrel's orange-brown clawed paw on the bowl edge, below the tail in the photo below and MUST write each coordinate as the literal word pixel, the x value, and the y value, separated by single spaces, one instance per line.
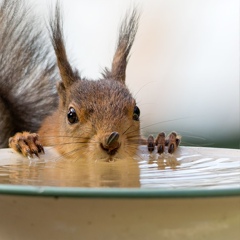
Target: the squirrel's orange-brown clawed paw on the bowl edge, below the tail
pixel 26 143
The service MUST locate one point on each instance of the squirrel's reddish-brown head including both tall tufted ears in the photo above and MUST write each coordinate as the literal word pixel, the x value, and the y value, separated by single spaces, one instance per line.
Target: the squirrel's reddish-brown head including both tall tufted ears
pixel 99 118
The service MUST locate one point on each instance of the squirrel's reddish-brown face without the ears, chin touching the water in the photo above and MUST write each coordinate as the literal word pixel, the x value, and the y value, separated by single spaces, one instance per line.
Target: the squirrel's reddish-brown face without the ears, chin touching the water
pixel 100 119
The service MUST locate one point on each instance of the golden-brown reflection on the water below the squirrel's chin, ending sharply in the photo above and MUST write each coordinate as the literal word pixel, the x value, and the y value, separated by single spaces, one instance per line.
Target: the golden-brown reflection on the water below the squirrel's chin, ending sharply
pixel 76 173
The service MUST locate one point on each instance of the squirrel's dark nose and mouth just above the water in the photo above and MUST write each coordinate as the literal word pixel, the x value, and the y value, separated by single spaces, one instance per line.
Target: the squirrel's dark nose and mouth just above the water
pixel 111 144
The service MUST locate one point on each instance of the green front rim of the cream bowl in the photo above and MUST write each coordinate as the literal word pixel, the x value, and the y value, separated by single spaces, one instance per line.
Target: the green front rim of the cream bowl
pixel 80 192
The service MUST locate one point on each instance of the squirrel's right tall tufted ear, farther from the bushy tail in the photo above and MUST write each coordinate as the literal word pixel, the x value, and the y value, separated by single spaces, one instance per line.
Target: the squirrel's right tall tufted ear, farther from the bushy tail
pixel 127 32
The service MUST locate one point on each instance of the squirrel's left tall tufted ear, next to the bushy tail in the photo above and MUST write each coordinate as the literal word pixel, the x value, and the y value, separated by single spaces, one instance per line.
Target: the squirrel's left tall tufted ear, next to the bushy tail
pixel 56 31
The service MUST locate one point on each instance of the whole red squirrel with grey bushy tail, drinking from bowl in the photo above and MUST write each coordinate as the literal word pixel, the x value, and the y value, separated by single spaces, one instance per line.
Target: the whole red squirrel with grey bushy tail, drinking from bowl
pixel 97 118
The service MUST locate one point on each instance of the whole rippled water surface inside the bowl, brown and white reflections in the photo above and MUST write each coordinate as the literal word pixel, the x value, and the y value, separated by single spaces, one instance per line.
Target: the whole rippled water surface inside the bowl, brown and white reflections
pixel 188 168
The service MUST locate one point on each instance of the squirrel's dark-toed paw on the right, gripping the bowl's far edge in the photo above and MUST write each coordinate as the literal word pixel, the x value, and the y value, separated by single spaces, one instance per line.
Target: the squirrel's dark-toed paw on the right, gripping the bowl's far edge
pixel 172 142
